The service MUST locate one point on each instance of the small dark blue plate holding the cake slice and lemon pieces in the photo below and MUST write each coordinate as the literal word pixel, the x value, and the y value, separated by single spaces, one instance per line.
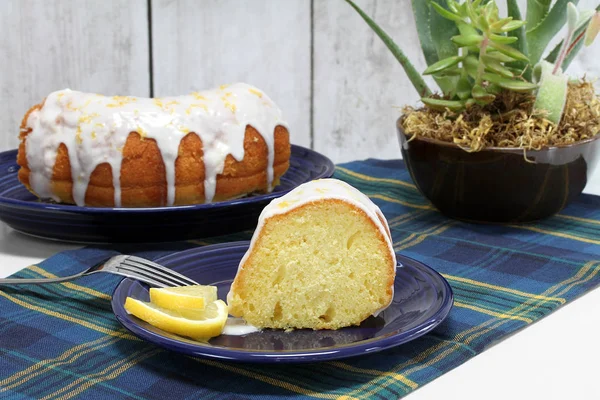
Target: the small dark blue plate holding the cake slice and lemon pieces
pixel 422 299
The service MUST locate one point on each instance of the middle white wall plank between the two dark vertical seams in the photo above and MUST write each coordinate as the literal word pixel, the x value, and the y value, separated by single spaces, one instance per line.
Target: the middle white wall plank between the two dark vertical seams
pixel 200 45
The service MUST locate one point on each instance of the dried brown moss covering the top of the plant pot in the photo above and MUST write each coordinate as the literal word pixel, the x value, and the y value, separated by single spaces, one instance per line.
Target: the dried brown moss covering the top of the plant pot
pixel 509 122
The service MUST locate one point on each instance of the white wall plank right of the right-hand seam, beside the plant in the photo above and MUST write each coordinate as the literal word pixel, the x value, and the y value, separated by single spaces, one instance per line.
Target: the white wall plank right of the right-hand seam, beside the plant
pixel 359 86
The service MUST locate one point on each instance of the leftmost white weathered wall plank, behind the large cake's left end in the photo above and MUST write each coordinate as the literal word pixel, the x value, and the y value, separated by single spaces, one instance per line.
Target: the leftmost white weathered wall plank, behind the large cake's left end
pixel 88 45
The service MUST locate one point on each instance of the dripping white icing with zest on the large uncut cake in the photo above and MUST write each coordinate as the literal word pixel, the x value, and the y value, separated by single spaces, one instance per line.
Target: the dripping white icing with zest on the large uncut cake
pixel 94 128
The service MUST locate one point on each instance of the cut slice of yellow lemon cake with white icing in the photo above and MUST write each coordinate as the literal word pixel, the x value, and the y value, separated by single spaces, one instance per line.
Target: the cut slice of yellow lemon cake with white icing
pixel 321 258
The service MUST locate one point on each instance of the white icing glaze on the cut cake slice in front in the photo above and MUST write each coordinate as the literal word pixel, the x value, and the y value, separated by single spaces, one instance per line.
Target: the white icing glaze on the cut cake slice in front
pixel 318 190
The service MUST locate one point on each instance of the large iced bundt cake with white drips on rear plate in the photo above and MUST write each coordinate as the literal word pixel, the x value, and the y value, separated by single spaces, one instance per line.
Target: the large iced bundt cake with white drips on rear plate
pixel 88 149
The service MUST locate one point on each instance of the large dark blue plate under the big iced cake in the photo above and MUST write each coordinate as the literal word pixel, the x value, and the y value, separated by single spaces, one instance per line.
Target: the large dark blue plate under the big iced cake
pixel 26 213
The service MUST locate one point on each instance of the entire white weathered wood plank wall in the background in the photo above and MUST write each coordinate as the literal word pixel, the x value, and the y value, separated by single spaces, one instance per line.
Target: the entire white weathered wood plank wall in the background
pixel 337 84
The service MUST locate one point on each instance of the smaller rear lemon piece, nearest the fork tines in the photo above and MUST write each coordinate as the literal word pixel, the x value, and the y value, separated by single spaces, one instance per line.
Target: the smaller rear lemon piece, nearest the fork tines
pixel 175 298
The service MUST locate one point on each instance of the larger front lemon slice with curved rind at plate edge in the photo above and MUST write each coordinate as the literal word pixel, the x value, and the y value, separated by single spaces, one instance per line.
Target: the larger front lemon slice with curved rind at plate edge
pixel 193 323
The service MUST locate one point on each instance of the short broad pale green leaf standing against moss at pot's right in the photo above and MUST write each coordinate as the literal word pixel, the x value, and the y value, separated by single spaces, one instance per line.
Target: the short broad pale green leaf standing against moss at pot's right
pixel 552 93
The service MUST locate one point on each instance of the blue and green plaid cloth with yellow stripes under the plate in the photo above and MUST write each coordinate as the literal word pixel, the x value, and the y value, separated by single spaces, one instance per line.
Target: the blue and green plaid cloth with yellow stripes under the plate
pixel 62 341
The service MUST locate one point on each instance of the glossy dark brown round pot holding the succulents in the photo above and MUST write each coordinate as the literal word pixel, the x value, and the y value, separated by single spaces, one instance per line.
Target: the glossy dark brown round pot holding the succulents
pixel 497 184
